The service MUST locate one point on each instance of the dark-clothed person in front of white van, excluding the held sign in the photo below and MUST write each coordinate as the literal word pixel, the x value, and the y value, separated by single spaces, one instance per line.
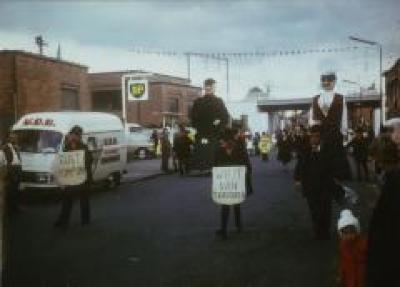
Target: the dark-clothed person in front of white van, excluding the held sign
pixel 74 143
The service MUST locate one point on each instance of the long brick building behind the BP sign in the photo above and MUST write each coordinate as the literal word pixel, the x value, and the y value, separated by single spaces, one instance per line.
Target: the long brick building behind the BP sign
pixel 170 98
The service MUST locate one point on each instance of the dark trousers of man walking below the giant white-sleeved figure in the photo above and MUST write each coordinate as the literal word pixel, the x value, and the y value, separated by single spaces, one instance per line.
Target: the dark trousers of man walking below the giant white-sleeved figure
pixel 321 214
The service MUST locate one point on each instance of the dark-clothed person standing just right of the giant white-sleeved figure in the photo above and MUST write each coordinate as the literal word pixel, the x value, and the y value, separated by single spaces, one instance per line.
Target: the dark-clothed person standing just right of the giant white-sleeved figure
pixel 359 146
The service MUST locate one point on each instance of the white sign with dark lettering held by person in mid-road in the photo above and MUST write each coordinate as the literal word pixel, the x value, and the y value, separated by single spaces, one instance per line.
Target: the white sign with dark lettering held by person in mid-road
pixel 228 184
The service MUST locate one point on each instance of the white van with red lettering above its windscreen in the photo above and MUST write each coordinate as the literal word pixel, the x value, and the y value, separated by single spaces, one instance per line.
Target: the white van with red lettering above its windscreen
pixel 41 137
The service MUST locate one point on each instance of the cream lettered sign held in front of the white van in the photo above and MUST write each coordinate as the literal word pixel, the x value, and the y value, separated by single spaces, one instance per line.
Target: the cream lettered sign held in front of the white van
pixel 71 168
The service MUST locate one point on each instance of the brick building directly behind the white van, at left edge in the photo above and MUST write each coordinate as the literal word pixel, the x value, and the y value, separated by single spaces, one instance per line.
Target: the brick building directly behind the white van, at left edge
pixel 32 83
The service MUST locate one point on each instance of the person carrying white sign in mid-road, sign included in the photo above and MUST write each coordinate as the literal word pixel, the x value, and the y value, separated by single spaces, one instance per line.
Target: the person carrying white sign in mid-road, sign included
pixel 232 152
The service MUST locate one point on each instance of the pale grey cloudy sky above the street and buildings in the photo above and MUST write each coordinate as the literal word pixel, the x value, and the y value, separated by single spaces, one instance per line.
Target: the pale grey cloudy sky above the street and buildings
pixel 209 26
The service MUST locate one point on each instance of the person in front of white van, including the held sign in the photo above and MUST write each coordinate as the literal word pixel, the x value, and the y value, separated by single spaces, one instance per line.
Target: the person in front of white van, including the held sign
pixel 74 186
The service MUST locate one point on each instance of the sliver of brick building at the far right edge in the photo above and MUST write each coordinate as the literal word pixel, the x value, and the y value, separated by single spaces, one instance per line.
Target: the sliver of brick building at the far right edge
pixel 392 81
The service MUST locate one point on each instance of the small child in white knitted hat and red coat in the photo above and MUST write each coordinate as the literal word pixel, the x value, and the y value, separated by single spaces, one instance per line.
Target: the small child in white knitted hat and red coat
pixel 352 249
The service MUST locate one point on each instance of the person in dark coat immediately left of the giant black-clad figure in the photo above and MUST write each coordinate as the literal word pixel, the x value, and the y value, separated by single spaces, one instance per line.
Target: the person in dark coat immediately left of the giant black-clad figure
pixel 182 148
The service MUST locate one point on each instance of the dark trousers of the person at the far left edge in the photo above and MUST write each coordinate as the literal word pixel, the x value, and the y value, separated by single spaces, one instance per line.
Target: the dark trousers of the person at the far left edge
pixel 12 188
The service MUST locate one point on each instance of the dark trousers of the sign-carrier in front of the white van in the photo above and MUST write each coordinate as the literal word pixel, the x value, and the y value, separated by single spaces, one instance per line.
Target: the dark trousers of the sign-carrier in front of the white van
pixel 68 197
